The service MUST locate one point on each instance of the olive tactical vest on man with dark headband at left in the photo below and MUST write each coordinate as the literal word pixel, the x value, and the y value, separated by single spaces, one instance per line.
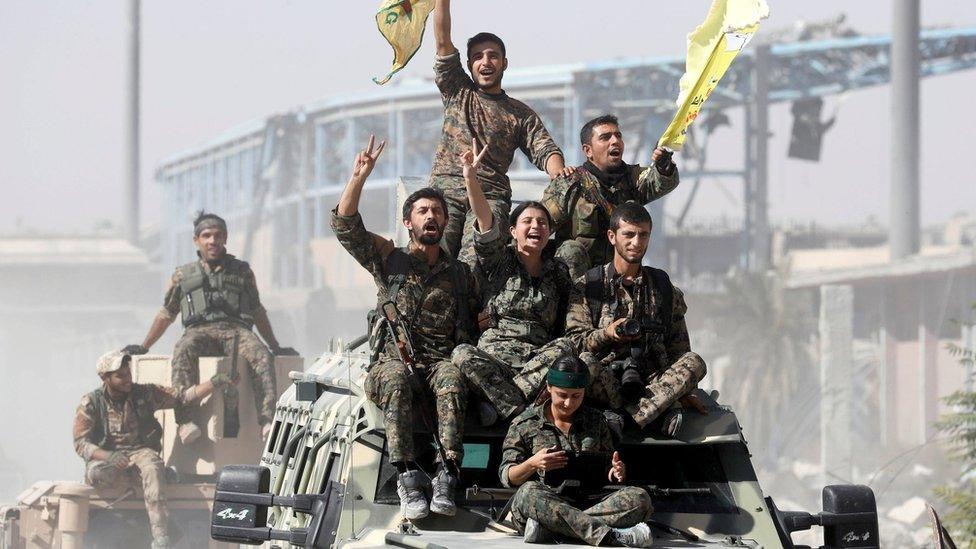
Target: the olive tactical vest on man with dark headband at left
pixel 216 296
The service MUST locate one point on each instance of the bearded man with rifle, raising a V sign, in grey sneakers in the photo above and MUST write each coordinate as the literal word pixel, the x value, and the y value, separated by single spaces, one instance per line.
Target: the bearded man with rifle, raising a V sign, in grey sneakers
pixel 433 294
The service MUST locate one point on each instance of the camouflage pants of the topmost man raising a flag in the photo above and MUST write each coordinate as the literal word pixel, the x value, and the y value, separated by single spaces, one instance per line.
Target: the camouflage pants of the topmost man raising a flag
pixel 458 237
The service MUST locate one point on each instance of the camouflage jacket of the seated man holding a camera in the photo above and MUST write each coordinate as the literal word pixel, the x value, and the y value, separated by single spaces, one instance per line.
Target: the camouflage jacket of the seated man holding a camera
pixel 660 350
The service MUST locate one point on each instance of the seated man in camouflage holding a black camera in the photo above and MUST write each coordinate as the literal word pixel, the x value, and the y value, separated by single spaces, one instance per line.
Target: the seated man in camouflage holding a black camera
pixel 634 335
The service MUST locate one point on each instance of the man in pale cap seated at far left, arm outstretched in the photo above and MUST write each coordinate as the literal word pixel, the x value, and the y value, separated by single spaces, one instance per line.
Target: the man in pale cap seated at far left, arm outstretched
pixel 117 435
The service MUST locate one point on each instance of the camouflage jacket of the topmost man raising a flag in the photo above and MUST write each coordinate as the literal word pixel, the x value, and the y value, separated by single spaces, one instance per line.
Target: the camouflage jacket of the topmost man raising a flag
pixel 505 124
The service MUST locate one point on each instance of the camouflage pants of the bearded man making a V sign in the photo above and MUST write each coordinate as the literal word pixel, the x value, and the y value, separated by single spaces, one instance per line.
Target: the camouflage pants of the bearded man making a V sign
pixel 388 385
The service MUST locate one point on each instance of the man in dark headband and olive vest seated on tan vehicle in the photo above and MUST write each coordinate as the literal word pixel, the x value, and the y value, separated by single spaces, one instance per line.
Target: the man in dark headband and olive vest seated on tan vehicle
pixel 217 297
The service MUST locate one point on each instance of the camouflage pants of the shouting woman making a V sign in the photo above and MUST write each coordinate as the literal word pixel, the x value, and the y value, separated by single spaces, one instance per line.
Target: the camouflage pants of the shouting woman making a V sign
pixel 508 387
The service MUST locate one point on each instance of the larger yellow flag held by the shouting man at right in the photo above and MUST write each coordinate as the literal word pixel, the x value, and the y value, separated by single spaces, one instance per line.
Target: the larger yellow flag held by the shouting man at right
pixel 728 27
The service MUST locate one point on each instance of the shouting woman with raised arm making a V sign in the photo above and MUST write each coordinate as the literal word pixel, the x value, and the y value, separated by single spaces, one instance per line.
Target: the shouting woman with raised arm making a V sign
pixel 525 295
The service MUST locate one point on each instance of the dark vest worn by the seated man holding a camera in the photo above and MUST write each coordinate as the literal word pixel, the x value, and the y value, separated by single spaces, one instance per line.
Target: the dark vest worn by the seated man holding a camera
pixel 655 321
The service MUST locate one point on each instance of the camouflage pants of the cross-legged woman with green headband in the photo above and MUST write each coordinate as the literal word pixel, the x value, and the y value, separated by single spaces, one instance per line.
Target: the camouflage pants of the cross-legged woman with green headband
pixel 621 509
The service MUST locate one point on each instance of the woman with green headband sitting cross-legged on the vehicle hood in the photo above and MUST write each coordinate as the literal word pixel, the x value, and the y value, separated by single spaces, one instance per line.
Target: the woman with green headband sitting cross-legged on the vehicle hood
pixel 539 441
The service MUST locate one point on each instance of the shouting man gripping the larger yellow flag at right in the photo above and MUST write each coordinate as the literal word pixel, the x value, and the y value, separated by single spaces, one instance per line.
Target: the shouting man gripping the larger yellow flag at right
pixel 581 203
